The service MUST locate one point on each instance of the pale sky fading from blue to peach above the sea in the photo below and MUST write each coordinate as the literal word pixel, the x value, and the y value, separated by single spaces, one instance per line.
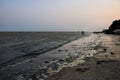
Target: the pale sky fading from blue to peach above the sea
pixel 58 15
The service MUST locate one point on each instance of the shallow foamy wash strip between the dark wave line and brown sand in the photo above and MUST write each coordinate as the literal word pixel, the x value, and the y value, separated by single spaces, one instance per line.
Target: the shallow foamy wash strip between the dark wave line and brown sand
pixel 51 62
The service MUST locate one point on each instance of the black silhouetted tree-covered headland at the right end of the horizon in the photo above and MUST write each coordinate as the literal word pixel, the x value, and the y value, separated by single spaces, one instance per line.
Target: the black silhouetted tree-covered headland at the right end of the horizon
pixel 114 28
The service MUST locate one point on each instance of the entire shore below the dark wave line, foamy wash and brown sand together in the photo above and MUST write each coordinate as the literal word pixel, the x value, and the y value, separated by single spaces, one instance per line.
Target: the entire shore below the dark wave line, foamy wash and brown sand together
pixel 94 57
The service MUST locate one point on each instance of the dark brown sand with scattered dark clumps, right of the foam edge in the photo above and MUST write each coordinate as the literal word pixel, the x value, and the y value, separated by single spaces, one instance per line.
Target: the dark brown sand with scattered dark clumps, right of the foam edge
pixel 104 65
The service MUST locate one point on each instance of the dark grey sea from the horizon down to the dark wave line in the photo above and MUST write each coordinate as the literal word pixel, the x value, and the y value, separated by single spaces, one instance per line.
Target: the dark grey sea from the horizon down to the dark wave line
pixel 15 45
